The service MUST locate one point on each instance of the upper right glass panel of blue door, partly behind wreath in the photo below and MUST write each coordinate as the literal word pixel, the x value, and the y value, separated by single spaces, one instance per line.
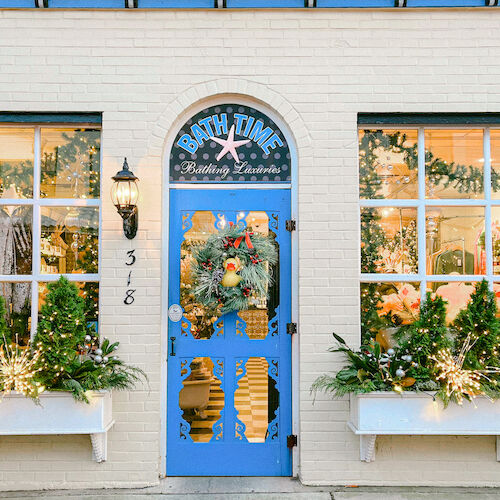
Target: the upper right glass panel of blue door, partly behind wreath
pixel 255 321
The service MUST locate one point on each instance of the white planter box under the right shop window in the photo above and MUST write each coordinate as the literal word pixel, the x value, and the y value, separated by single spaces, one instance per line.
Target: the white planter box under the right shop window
pixel 419 414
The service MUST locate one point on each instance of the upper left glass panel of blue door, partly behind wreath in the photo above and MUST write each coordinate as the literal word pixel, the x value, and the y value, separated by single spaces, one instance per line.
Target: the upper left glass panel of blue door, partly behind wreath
pixel 198 320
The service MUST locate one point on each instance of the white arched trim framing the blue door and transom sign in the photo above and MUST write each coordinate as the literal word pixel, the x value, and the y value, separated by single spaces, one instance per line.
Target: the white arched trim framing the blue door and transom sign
pixel 178 122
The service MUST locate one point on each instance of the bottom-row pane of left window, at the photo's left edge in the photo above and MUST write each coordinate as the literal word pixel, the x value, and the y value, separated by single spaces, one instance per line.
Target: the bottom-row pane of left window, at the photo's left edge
pixel 17 298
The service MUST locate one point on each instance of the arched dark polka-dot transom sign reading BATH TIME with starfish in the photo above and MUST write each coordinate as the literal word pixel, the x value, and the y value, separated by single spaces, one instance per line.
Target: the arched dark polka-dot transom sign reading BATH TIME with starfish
pixel 230 143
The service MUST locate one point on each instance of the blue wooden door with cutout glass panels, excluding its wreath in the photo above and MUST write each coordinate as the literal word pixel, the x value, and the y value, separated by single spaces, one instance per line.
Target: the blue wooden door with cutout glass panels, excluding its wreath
pixel 229 376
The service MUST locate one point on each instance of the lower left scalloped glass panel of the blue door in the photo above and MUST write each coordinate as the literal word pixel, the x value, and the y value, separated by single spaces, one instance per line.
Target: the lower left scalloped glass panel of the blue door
pixel 201 399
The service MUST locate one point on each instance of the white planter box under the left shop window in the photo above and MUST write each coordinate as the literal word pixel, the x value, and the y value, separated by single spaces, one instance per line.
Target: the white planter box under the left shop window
pixel 59 413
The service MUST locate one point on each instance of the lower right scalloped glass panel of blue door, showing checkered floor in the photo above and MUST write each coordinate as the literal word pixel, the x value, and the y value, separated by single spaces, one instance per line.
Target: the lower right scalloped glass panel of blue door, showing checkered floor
pixel 256 400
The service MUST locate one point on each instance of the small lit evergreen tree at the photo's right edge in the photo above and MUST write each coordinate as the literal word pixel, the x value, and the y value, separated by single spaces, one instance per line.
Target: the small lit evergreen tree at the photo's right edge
pixel 479 326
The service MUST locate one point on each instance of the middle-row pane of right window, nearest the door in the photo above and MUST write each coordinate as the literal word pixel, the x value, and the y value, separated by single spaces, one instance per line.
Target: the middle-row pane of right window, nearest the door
pixel 389 240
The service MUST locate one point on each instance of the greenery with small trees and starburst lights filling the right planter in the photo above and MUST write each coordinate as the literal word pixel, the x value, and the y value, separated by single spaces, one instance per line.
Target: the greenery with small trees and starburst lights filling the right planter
pixel 456 362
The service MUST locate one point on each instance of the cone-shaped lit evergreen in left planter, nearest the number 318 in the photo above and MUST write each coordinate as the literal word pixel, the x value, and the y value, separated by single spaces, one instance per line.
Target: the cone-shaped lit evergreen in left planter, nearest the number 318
pixel 61 332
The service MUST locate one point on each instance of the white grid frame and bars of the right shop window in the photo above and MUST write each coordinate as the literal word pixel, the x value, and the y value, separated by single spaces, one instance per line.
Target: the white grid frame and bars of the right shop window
pixel 422 202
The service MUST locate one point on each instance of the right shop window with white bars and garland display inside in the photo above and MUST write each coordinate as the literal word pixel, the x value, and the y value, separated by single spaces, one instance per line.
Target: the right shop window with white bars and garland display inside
pixel 440 231
